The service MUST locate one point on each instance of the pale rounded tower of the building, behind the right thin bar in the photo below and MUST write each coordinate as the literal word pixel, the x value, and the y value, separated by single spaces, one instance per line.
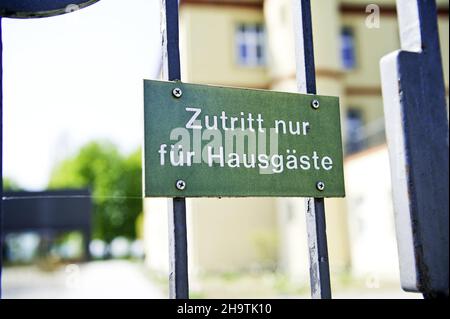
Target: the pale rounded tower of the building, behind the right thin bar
pixel 293 249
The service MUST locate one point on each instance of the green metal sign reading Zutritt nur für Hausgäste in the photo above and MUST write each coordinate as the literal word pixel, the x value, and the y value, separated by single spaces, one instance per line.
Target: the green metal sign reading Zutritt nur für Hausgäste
pixel 208 141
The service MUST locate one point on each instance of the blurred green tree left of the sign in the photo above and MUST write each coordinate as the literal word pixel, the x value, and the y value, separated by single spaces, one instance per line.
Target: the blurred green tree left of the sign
pixel 115 183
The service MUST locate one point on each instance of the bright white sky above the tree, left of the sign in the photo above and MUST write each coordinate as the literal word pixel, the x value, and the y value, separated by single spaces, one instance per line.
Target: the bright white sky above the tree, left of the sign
pixel 74 78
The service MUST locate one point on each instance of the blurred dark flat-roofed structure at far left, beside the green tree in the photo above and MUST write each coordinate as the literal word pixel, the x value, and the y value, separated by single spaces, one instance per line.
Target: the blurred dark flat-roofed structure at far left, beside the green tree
pixel 45 216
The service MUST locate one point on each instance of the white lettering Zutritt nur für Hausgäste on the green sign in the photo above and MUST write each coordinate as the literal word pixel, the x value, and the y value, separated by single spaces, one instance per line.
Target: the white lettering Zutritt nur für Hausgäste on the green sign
pixel 245 144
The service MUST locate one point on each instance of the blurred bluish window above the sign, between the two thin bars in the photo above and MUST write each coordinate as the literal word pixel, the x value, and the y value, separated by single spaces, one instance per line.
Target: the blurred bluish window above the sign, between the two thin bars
pixel 250 45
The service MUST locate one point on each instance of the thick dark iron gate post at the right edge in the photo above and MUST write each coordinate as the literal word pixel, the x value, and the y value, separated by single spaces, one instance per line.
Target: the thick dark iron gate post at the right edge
pixel 416 118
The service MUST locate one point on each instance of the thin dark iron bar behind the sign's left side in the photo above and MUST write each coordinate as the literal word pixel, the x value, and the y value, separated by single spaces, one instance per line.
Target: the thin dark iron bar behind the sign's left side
pixel 178 260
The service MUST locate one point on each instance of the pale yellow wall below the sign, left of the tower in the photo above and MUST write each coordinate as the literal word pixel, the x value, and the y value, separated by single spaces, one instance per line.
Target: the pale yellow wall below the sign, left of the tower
pixel 231 234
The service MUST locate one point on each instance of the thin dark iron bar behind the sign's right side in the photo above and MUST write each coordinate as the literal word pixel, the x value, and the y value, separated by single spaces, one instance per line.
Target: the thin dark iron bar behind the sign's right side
pixel 315 207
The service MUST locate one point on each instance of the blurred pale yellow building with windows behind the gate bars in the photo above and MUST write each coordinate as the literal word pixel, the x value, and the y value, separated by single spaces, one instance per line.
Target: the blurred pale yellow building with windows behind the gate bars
pixel 251 44
